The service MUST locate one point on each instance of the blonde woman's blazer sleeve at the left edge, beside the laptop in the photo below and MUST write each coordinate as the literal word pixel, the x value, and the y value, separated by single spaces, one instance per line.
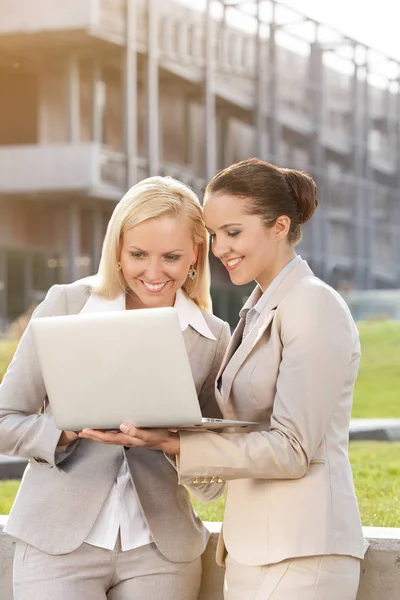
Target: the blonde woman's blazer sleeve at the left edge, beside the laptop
pixel 24 432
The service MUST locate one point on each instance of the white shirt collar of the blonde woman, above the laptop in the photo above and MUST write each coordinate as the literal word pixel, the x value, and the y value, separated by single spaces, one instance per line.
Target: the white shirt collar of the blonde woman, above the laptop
pixel 188 312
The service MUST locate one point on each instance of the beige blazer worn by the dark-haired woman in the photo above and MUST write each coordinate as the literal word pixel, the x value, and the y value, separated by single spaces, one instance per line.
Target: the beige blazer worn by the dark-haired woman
pixel 290 489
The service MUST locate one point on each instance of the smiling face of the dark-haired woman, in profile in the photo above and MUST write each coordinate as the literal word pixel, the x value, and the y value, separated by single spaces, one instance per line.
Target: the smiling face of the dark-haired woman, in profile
pixel 248 249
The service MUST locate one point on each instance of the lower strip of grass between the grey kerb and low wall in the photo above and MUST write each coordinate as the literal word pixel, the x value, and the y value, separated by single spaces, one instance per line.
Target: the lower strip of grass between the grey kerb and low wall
pixel 376 468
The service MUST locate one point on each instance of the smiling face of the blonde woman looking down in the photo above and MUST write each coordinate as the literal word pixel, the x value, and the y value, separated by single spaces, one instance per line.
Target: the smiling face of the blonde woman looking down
pixel 155 259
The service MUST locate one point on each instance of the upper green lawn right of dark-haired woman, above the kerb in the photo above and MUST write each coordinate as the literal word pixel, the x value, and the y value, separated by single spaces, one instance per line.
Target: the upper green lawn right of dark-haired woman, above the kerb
pixel 377 391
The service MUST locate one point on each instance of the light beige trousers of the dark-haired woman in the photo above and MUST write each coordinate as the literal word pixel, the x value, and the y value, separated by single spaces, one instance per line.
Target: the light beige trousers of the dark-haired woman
pixel 309 578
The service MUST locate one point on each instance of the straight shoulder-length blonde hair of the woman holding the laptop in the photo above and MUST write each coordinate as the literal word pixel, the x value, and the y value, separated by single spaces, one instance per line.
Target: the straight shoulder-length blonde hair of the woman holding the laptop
pixel 149 199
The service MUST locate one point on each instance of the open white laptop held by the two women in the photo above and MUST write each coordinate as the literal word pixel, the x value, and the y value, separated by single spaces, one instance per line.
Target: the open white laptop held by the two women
pixel 103 369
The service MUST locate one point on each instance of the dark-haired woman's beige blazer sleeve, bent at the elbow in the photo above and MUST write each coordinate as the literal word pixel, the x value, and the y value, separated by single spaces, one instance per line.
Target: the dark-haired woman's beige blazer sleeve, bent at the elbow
pixel 319 358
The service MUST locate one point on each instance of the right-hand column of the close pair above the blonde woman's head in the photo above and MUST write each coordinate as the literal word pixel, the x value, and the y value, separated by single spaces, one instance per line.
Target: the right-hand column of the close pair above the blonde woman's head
pixel 153 114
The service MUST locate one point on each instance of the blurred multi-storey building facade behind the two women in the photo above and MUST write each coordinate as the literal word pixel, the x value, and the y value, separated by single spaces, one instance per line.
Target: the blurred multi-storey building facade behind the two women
pixel 97 94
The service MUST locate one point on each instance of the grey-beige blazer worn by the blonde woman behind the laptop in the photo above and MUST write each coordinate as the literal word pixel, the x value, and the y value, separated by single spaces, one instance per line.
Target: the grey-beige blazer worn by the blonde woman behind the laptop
pixel 61 496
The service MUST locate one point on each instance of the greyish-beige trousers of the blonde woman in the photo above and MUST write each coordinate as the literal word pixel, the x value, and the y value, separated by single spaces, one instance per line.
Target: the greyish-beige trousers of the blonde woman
pixel 91 573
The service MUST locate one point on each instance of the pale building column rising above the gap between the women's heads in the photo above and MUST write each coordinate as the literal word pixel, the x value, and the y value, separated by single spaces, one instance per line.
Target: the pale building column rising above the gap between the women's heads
pixel 209 94
